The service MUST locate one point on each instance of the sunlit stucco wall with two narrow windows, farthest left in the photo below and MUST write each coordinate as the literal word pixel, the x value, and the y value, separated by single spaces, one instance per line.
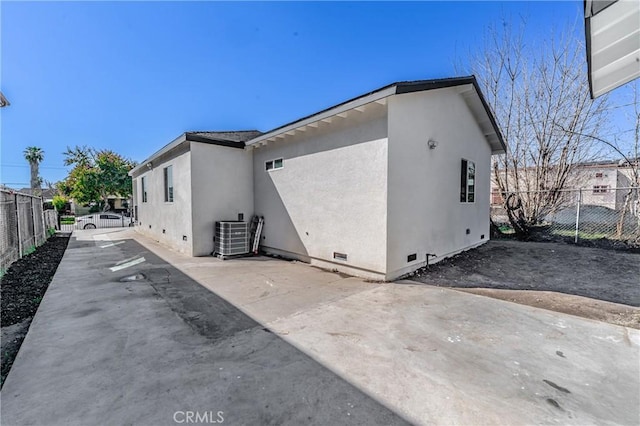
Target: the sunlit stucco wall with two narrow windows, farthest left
pixel 156 215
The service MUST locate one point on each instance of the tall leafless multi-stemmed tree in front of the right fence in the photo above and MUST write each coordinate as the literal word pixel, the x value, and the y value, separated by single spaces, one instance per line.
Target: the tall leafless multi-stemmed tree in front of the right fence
pixel 534 90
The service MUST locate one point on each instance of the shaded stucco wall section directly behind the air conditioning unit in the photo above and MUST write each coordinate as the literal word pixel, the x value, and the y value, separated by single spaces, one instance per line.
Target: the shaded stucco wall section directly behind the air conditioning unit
pixel 222 187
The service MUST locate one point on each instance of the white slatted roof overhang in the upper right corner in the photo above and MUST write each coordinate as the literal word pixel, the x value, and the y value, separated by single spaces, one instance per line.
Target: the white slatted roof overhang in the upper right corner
pixel 612 31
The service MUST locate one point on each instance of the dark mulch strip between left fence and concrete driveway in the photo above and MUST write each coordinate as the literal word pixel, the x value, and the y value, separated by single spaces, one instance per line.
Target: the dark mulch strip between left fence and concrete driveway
pixel 21 291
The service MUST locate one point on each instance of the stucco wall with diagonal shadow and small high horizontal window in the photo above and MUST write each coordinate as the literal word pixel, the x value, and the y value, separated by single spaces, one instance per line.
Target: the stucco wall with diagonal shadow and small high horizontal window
pixel 331 194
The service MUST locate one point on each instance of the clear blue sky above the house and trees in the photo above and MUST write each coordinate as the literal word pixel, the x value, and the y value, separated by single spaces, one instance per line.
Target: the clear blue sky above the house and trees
pixel 132 76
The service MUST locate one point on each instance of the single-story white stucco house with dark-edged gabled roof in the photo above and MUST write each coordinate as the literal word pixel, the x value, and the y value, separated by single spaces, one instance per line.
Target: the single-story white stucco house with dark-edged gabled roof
pixel 373 186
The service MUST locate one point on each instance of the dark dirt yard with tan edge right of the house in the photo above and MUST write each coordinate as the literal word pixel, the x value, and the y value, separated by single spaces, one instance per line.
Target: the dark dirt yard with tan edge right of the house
pixel 593 283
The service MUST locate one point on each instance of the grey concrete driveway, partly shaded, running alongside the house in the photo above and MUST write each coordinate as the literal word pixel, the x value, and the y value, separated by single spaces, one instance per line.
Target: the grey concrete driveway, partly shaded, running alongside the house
pixel 120 340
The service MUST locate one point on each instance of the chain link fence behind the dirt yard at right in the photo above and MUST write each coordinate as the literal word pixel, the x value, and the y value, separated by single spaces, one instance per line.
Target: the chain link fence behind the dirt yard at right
pixel 582 214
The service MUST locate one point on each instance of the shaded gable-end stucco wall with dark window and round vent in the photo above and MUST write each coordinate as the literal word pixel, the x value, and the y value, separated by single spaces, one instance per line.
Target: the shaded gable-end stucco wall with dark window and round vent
pixel 425 213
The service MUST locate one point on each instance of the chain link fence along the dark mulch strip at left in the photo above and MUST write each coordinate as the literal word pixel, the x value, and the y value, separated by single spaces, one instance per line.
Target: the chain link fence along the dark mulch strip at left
pixel 24 225
